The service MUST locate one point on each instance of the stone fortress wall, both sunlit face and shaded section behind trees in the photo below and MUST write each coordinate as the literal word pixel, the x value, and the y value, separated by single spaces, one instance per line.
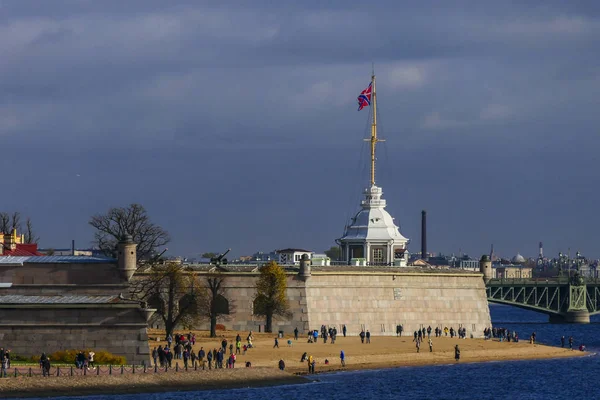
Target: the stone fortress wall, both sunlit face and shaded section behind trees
pixel 376 300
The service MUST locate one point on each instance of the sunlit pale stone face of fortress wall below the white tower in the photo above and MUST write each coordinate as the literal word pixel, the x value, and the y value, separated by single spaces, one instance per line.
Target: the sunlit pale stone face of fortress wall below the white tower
pixel 378 302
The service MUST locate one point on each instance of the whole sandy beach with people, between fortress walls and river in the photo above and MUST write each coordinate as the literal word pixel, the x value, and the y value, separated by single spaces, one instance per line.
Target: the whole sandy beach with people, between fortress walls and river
pixel 382 352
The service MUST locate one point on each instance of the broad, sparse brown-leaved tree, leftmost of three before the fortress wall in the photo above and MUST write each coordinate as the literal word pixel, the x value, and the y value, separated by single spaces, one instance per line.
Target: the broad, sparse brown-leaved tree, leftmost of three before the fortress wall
pixel 175 293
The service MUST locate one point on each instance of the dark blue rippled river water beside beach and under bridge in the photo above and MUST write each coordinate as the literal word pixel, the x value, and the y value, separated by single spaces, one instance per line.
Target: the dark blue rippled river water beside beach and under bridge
pixel 514 380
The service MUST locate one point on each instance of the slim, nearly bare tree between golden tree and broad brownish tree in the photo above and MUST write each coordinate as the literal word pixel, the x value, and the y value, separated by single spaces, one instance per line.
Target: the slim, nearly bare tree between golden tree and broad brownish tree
pixel 214 304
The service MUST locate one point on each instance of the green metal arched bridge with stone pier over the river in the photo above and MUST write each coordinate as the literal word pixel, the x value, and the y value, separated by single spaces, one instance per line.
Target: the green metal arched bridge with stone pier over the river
pixel 565 299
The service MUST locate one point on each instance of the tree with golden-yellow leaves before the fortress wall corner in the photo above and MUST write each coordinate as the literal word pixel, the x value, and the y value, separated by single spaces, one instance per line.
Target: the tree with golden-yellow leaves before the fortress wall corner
pixel 270 299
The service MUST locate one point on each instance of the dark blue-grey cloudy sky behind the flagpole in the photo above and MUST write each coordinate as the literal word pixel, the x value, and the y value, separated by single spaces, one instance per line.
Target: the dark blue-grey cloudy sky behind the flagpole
pixel 235 124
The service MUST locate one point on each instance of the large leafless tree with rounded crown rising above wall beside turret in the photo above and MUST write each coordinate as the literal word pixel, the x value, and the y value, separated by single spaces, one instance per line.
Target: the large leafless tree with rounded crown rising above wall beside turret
pixel 132 220
